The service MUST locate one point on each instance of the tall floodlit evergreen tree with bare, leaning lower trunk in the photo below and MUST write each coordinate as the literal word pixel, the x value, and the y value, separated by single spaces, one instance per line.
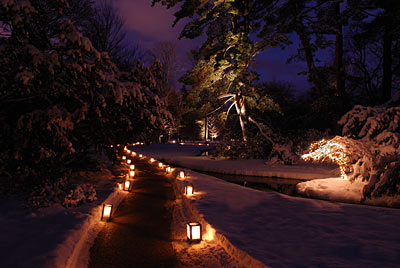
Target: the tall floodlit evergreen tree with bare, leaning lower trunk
pixel 224 59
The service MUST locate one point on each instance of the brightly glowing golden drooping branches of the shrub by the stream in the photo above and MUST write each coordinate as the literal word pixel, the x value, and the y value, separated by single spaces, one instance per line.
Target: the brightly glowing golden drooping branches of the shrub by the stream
pixel 333 150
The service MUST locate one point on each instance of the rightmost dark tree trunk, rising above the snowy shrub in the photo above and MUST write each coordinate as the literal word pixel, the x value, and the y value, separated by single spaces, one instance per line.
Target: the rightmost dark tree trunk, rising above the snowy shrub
pixel 387 64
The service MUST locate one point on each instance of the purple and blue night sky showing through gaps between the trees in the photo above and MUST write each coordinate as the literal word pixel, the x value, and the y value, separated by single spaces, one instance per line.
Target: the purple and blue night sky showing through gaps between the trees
pixel 147 25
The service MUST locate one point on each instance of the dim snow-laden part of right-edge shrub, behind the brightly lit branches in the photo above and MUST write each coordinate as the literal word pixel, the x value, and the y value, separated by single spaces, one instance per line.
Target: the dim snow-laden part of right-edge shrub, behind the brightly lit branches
pixel 378 128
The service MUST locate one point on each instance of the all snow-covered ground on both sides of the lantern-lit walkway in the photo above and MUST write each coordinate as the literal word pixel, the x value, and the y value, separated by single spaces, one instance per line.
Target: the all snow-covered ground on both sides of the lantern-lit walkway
pixel 242 226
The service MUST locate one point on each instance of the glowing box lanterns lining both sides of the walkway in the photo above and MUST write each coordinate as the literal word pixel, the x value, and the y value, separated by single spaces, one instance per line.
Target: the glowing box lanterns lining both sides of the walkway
pixel 193 229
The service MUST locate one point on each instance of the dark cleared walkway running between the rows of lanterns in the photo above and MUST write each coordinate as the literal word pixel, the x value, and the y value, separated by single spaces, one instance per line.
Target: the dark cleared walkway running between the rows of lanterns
pixel 139 234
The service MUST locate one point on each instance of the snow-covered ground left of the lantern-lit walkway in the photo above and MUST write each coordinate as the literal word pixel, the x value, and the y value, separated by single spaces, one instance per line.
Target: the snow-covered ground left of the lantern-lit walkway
pixel 54 236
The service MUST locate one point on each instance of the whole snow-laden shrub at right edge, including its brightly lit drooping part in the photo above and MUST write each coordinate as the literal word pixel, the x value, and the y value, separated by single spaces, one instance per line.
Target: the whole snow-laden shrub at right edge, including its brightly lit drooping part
pixel 369 151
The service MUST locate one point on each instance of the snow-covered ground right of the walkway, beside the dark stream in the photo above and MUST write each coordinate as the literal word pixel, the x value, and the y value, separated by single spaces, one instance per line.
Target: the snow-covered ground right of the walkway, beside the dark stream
pixel 284 231
